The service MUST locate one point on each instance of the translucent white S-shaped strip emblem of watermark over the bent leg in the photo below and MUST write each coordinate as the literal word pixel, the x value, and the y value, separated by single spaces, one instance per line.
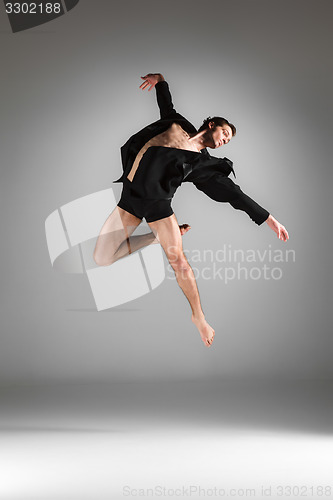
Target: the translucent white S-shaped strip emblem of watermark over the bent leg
pixel 71 235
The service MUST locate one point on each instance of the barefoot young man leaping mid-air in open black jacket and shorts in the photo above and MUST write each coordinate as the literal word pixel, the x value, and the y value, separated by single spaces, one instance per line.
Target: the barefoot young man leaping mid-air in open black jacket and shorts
pixel 156 161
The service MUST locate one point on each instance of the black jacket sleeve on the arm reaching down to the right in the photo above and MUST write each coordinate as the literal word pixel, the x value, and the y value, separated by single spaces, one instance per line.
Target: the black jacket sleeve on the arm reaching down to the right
pixel 221 188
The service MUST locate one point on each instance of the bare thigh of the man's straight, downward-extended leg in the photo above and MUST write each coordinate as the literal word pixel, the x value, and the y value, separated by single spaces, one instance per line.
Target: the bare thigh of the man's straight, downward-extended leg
pixel 169 236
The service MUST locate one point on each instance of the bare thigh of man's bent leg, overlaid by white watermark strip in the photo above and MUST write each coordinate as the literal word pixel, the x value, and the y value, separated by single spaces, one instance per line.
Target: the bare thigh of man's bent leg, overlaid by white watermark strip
pixel 116 229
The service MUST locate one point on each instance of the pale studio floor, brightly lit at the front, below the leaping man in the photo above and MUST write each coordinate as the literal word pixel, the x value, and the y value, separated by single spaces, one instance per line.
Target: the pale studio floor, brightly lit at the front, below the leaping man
pixel 185 439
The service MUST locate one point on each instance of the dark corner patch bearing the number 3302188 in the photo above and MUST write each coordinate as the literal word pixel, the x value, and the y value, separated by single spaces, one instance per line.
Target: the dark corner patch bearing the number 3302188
pixel 25 15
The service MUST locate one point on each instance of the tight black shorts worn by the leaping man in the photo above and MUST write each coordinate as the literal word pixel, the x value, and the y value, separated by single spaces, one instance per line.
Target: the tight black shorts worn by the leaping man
pixel 151 210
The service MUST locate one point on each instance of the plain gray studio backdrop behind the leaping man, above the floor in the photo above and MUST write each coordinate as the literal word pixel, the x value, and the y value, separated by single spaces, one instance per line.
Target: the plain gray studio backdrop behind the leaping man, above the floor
pixel 70 98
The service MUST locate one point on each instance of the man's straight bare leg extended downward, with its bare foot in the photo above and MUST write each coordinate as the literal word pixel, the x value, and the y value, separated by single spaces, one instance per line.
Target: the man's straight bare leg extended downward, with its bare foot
pixel 167 233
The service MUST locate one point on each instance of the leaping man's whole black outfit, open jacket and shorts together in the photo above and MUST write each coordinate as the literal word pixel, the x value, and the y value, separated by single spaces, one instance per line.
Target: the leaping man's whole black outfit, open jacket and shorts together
pixel 163 169
